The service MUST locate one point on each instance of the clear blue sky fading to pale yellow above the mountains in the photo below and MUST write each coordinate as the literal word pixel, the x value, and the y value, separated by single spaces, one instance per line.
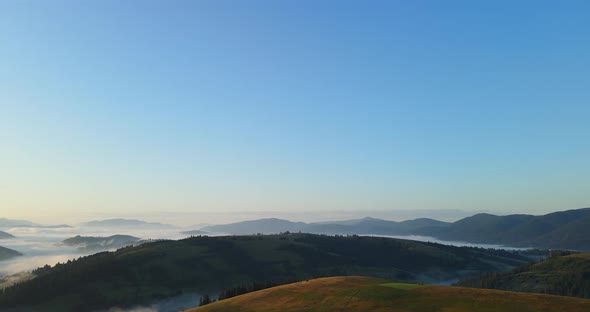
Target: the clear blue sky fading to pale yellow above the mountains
pixel 183 110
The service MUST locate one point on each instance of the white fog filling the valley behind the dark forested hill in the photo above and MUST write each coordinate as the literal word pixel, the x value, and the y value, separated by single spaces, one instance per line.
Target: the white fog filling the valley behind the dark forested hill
pixel 45 245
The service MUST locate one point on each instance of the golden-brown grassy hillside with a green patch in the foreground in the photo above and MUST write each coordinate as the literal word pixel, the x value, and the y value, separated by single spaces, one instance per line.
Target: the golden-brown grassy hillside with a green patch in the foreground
pixel 369 294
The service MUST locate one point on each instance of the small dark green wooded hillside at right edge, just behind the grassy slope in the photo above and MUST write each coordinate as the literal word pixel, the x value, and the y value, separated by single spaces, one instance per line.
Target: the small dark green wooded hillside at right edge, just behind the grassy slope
pixel 559 275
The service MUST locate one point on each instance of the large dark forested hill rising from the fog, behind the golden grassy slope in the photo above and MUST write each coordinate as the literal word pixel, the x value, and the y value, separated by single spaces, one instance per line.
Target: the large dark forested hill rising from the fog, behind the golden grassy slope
pixel 210 264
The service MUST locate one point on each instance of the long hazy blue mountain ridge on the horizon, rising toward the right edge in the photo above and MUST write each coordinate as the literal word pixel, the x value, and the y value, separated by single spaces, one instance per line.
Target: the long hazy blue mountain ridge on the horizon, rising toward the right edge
pixel 568 229
